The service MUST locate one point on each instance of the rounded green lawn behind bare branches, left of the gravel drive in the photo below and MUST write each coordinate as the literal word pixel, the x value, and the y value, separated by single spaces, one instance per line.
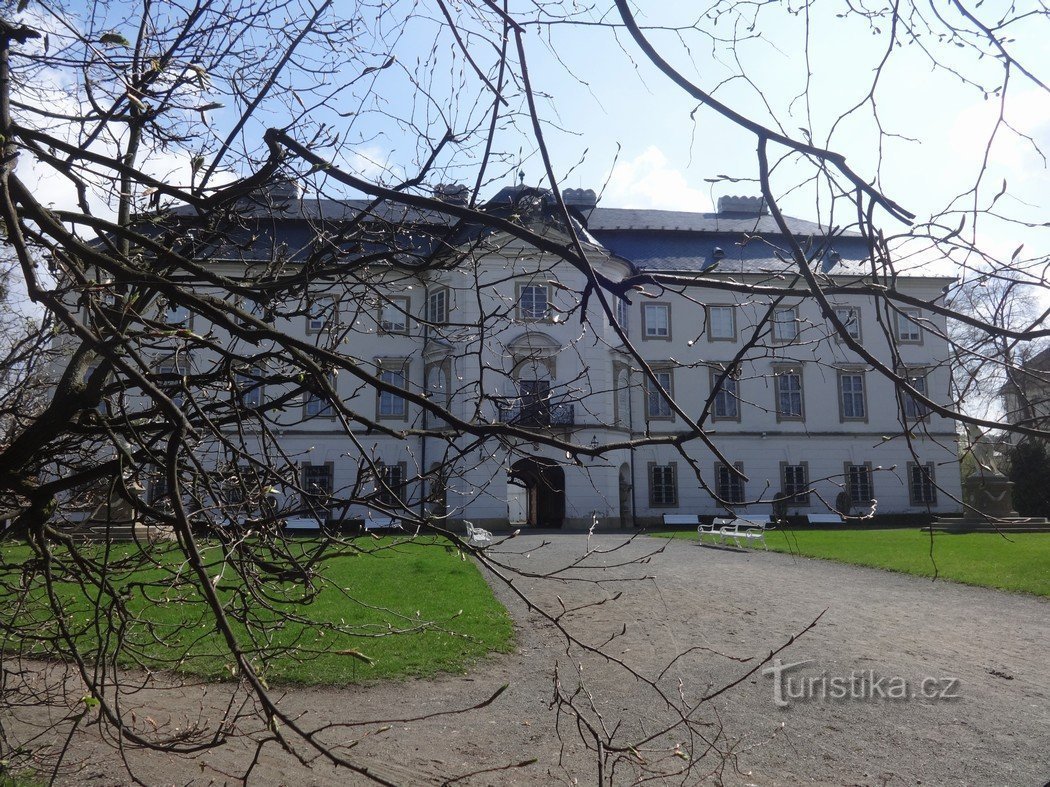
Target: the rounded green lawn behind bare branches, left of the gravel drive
pixel 398 608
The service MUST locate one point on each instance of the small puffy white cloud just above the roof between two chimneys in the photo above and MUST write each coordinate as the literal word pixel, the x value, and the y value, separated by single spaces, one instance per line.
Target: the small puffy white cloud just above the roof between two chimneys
pixel 649 181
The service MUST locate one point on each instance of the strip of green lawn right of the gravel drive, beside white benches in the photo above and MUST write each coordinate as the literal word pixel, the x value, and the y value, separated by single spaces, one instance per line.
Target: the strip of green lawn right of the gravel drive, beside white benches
pixel 1016 563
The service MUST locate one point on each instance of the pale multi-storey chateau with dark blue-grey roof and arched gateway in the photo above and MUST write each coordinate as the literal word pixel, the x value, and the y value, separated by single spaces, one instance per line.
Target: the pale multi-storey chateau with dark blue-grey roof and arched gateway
pixel 497 331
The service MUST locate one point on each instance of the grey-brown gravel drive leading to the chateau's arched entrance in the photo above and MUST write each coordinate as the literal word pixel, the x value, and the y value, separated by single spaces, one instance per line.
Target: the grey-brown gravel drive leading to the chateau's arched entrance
pixel 978 657
